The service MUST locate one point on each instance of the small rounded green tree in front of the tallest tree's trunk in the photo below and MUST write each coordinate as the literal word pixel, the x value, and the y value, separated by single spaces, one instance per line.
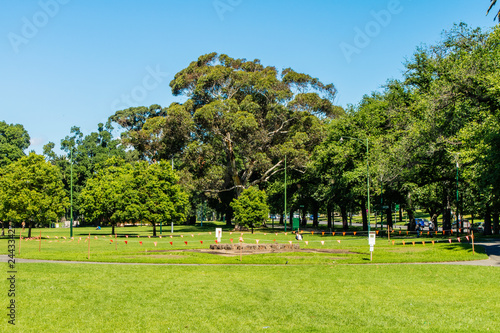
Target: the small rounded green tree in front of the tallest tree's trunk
pixel 250 208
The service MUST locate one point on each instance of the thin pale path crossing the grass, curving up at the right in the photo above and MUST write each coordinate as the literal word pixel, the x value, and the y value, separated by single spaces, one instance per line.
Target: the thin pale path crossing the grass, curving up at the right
pixel 492 250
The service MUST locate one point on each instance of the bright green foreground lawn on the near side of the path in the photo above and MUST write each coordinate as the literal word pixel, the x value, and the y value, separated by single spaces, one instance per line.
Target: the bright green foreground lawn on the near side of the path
pixel 317 298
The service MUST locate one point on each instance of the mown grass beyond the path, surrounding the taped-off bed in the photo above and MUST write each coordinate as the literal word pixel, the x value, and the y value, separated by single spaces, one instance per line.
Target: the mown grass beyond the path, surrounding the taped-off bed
pixel 188 246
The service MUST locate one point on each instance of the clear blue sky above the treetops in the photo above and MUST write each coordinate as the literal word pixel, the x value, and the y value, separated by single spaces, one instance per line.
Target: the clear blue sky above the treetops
pixel 73 63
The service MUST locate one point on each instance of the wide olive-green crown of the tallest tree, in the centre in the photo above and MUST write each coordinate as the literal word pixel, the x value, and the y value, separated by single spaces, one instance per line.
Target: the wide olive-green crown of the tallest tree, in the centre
pixel 240 121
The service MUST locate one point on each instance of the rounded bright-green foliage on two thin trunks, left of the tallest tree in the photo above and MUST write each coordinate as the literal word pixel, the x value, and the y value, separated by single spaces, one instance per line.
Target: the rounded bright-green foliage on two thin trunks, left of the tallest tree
pixel 121 192
